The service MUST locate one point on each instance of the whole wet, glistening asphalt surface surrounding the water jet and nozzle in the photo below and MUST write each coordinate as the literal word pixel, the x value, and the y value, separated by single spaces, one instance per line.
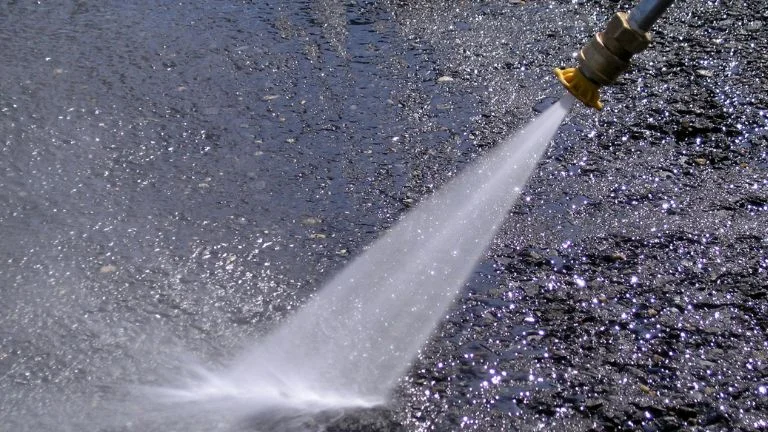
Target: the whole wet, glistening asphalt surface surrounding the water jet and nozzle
pixel 178 177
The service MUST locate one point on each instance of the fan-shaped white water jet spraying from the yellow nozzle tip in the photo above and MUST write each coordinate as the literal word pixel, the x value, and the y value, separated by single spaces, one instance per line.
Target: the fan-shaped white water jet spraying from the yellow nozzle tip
pixel 351 343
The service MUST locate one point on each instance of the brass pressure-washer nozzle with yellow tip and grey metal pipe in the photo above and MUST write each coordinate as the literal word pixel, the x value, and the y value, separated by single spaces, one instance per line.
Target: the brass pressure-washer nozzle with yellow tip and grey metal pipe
pixel 607 54
